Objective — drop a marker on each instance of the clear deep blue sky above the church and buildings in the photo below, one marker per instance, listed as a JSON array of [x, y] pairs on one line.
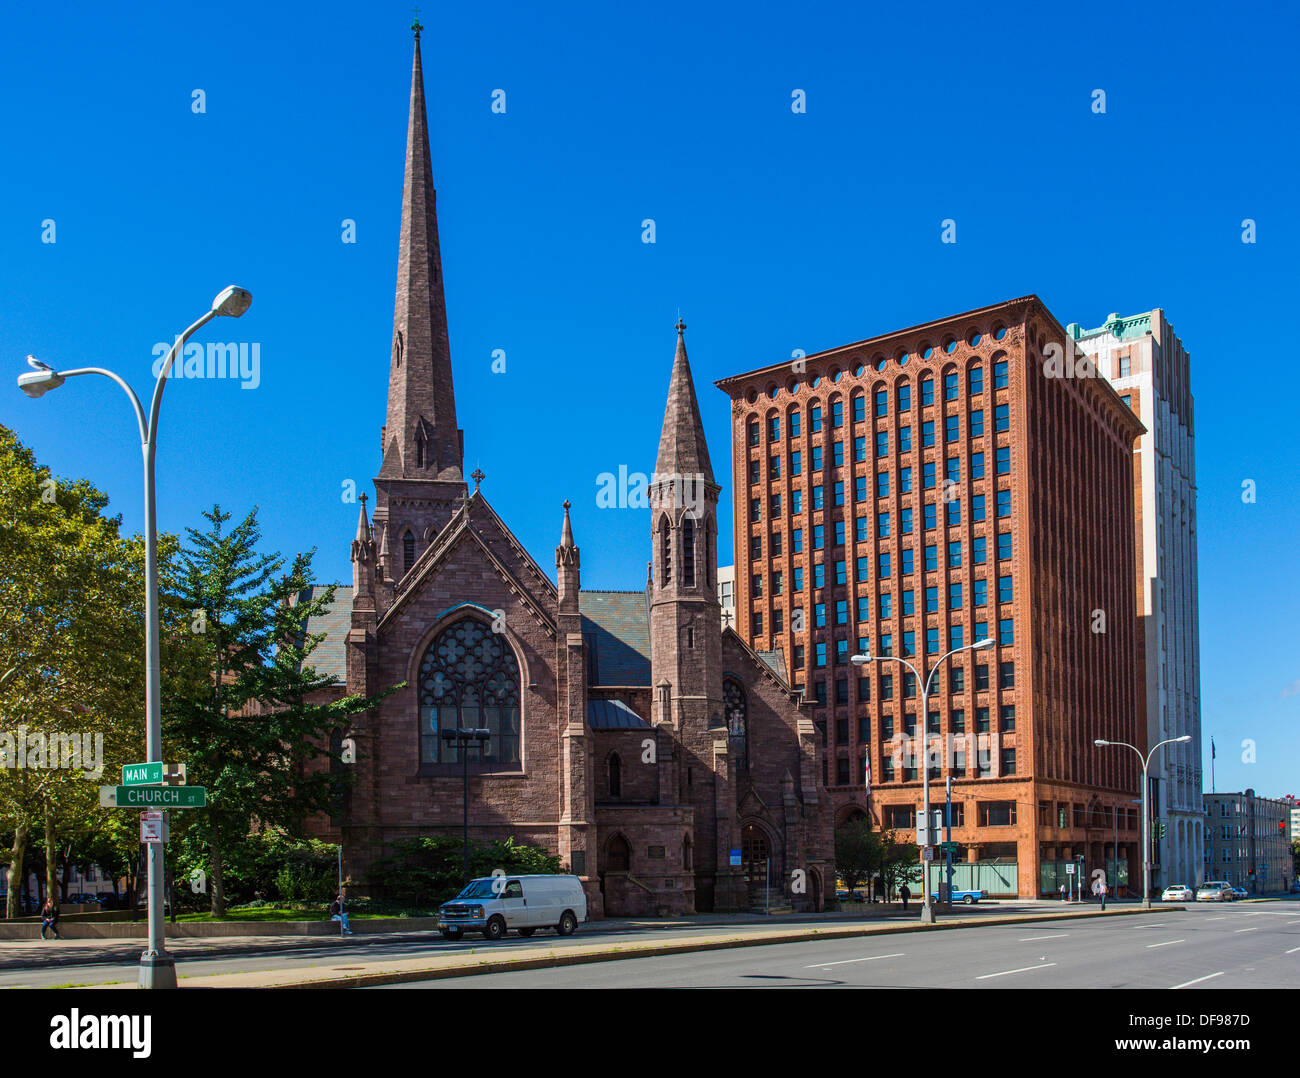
[[774, 232]]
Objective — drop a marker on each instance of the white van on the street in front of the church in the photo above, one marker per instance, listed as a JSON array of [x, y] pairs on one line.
[[496, 904]]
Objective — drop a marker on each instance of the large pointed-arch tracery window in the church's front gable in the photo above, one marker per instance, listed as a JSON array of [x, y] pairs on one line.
[[470, 679]]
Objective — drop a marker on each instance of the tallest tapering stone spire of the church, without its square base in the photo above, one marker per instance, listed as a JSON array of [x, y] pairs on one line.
[[422, 440]]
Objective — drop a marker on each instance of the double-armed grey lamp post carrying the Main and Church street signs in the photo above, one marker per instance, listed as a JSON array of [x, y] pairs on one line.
[[158, 968]]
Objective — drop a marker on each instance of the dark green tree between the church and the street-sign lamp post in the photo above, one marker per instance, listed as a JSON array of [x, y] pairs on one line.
[[258, 720]]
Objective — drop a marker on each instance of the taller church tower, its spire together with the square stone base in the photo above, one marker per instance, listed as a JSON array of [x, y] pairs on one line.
[[422, 479]]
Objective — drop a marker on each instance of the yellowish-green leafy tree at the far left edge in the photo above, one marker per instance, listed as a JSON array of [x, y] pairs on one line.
[[71, 647]]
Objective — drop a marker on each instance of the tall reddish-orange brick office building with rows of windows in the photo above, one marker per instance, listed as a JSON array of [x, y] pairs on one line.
[[920, 492]]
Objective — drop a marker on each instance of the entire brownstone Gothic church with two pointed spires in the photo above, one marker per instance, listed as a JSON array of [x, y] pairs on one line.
[[665, 761]]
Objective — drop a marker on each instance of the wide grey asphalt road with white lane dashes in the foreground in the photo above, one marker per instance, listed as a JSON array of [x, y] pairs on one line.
[[1234, 946]]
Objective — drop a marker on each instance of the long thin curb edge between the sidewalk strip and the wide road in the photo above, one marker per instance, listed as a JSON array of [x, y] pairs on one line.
[[658, 950]]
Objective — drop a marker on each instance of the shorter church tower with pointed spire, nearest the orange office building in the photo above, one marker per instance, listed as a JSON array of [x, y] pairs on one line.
[[686, 625]]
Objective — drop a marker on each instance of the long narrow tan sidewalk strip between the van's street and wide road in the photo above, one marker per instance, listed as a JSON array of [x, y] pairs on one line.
[[361, 973]]
